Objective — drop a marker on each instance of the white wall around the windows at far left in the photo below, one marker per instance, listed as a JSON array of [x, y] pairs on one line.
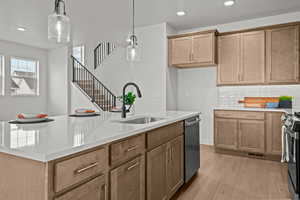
[[10, 105]]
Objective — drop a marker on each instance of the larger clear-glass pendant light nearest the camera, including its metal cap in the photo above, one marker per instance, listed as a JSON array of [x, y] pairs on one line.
[[59, 25]]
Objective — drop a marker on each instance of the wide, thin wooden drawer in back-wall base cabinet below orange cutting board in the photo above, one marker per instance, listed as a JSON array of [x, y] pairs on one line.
[[240, 115]]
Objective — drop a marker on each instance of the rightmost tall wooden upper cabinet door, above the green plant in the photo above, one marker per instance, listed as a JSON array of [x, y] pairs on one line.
[[283, 55]]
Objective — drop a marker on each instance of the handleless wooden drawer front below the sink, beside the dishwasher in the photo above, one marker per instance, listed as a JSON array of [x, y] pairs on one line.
[[162, 135]]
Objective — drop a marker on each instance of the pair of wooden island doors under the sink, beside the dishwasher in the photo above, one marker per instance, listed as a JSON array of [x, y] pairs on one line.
[[165, 170]]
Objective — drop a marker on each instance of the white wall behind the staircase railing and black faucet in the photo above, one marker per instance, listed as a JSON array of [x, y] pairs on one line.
[[149, 73]]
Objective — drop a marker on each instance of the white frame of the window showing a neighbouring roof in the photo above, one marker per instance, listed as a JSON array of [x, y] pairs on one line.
[[37, 94]]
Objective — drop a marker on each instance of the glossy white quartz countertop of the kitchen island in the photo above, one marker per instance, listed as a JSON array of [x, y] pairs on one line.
[[68, 135]]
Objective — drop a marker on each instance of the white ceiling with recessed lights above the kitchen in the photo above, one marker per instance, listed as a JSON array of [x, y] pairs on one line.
[[109, 16]]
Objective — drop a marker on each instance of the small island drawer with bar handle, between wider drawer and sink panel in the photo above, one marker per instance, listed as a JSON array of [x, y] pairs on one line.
[[127, 149]]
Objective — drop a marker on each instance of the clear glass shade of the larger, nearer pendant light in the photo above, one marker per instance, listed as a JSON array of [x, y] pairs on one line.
[[59, 28]]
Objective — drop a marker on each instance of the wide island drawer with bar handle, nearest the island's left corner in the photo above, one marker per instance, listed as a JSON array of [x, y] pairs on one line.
[[77, 169]]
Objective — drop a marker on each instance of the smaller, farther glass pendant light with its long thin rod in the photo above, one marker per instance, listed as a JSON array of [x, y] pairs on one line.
[[133, 49]]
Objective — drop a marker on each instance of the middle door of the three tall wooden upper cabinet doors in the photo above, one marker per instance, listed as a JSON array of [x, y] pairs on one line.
[[252, 68]]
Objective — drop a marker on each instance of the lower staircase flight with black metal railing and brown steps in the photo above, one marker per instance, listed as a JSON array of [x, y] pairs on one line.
[[96, 91]]
